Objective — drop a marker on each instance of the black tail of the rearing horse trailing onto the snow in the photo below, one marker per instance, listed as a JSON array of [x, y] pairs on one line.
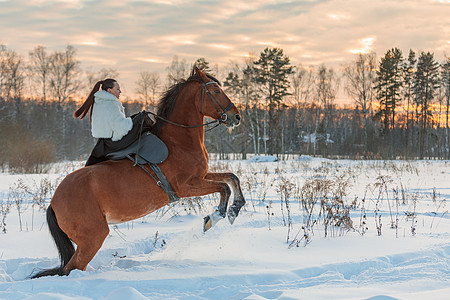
[[63, 243]]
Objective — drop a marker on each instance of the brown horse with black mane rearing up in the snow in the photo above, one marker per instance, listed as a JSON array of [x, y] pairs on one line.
[[89, 199]]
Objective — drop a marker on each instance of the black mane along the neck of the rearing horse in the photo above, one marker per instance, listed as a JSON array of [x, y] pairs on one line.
[[167, 102]]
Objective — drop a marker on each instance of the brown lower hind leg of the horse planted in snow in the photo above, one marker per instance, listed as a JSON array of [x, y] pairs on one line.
[[88, 239]]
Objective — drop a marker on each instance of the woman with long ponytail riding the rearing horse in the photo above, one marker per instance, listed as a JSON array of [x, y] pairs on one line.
[[110, 126]]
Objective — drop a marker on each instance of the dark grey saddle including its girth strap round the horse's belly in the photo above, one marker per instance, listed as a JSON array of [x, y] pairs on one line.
[[148, 150]]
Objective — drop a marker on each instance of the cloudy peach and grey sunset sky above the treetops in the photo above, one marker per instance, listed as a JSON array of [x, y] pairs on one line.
[[132, 36]]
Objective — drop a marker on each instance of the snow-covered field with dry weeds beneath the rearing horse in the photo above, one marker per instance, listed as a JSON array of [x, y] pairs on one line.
[[311, 229]]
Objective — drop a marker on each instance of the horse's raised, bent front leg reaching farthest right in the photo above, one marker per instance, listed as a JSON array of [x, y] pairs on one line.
[[238, 201]]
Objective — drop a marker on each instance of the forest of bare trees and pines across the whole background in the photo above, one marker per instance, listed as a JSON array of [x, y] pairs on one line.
[[398, 106]]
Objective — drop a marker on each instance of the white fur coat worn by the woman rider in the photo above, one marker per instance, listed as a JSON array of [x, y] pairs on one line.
[[108, 117]]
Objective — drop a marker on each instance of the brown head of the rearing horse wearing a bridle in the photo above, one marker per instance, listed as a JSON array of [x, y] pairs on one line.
[[215, 103]]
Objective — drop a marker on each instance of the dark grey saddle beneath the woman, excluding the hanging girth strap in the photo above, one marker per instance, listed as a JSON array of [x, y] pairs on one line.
[[151, 150]]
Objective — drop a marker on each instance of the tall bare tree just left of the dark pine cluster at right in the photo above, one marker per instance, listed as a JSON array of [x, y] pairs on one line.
[[360, 78]]
